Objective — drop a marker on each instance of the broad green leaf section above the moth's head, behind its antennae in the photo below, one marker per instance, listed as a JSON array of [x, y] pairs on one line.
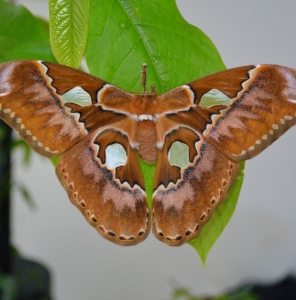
[[124, 34]]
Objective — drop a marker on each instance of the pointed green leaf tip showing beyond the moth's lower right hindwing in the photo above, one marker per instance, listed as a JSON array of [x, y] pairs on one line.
[[220, 218]]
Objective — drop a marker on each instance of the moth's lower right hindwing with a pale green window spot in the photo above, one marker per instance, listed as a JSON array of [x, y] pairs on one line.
[[187, 191]]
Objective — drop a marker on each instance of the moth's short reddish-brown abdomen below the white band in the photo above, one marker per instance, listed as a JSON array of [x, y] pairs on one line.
[[147, 141]]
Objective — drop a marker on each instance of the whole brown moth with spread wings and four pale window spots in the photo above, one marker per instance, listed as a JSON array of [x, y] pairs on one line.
[[100, 131]]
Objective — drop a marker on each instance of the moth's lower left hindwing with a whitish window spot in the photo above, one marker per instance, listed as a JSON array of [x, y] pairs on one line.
[[102, 177]]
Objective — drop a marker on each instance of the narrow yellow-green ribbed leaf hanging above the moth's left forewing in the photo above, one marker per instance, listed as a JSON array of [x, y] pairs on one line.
[[68, 30]]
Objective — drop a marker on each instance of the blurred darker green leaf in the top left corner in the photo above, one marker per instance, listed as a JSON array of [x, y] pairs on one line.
[[22, 36]]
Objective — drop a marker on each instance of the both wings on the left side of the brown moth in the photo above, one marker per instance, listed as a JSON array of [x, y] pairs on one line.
[[54, 108]]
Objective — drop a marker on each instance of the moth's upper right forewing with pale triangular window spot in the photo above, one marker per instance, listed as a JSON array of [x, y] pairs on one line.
[[252, 110]]
